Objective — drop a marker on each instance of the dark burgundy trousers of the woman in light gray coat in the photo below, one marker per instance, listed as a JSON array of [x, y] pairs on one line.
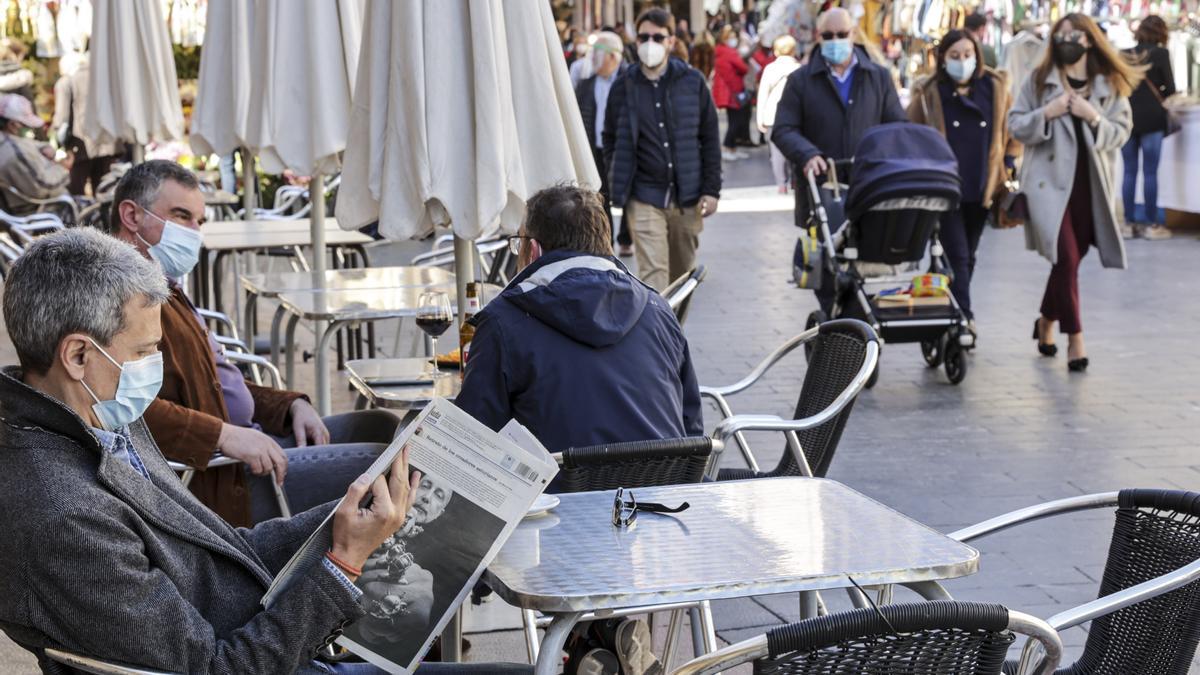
[[1076, 236]]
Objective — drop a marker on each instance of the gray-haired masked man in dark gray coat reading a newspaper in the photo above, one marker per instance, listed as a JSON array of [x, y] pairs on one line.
[[106, 554]]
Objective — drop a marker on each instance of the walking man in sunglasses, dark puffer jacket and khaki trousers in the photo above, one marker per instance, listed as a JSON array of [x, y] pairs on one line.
[[663, 151]]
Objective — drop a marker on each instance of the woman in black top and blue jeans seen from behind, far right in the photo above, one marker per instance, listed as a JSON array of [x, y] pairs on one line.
[[1150, 126]]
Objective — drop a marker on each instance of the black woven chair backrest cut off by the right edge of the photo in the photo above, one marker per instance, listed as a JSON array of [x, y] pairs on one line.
[[1156, 533]]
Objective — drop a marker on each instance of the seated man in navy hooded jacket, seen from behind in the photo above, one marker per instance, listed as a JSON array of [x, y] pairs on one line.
[[577, 349]]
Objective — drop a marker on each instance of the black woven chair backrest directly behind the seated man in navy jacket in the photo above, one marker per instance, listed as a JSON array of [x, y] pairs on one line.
[[639, 464]]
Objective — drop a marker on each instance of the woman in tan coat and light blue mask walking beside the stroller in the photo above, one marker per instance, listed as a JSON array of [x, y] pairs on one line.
[[969, 104]]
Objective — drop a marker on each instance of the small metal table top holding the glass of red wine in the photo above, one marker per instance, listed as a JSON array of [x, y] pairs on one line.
[[373, 378]]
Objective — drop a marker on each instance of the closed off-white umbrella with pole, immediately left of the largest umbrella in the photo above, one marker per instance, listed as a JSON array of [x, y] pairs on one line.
[[304, 57]]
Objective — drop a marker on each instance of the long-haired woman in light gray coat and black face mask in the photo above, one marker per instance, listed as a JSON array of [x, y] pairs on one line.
[[1073, 117]]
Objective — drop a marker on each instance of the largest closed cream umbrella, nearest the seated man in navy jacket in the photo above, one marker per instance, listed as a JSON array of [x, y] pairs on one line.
[[463, 111]]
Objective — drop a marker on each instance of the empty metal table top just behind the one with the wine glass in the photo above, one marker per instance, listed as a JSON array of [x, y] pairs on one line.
[[358, 279]]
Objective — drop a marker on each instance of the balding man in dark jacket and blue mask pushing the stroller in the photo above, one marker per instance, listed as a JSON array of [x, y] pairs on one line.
[[826, 109]]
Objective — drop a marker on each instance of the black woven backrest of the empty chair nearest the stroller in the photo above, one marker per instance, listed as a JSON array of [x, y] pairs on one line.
[[838, 355]]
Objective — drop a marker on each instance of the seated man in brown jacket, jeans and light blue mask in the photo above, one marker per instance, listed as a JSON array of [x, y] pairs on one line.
[[206, 405]]
